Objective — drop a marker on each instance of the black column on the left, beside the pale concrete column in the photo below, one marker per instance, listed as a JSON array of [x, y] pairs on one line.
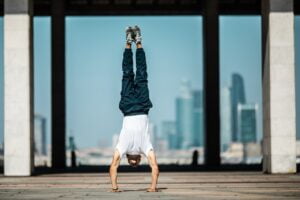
[[58, 85]]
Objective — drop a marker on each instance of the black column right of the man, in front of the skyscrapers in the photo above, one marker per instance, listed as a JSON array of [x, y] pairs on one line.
[[211, 83]]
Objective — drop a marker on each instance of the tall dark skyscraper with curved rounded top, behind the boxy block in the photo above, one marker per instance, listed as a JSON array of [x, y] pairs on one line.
[[237, 97]]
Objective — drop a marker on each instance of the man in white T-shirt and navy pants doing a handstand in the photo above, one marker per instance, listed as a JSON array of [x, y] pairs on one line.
[[134, 138]]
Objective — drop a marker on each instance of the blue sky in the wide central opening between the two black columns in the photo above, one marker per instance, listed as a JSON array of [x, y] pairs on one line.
[[173, 47]]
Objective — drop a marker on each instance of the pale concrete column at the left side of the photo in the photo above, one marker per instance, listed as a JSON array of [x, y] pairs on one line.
[[18, 88]]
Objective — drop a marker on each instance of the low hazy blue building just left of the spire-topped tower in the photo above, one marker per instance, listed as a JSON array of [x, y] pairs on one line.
[[168, 130]]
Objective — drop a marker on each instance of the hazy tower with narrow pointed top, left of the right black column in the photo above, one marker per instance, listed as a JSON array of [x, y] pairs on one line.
[[184, 116]]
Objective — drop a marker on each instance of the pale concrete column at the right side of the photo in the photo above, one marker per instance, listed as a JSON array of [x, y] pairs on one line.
[[279, 139]]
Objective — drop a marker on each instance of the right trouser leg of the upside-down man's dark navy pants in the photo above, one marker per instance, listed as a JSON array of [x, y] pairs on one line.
[[141, 78]]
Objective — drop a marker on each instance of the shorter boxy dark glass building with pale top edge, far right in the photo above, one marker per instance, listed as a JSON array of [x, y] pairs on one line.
[[247, 122]]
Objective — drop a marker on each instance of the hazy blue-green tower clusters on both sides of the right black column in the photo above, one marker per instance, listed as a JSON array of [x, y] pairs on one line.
[[187, 131]]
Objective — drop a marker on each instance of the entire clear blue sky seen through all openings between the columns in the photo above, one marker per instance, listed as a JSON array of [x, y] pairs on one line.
[[173, 45]]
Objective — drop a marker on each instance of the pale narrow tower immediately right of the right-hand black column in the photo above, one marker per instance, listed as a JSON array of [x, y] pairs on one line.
[[225, 118]]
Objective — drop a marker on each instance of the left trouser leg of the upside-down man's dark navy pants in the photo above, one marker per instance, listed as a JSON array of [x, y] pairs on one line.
[[127, 91]]
